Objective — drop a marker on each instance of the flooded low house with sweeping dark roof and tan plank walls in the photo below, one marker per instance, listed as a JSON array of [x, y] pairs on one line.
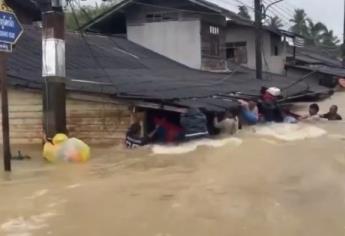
[[107, 76]]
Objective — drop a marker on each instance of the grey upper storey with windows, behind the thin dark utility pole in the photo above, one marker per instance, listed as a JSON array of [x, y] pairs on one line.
[[240, 46]]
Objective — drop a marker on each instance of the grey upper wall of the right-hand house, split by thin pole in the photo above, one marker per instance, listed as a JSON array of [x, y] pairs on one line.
[[271, 63]]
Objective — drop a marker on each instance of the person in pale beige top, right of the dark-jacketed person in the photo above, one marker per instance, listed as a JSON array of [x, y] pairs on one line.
[[227, 125]]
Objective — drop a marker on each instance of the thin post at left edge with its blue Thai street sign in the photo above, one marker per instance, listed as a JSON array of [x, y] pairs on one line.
[[10, 31]]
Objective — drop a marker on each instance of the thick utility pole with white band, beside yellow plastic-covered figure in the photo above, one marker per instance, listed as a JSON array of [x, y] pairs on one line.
[[54, 69]]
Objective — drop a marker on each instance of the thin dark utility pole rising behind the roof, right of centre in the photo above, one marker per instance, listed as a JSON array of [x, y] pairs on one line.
[[258, 38]]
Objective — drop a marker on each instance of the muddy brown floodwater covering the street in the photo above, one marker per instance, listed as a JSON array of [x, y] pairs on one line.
[[272, 180]]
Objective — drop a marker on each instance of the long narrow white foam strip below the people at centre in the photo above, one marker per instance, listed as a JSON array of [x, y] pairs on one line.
[[193, 145]]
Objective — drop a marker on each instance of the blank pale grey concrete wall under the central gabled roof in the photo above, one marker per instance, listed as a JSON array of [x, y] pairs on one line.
[[177, 40]]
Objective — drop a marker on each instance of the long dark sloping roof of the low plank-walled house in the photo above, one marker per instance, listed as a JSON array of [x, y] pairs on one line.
[[119, 68]]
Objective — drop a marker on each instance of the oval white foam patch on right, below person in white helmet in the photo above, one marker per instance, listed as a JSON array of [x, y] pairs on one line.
[[290, 132]]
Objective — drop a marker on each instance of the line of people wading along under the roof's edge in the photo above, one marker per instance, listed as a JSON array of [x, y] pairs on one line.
[[194, 124]]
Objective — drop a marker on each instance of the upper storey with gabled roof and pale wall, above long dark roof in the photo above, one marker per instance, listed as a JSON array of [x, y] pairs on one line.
[[191, 32]]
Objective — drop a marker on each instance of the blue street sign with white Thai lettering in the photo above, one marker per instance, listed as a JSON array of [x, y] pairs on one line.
[[10, 28]]
